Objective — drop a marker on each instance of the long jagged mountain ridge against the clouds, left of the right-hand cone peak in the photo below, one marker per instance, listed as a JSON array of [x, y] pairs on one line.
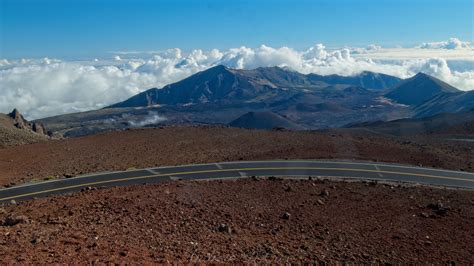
[[223, 84]]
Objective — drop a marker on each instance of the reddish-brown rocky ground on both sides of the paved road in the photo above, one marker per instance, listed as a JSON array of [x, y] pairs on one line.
[[233, 221]]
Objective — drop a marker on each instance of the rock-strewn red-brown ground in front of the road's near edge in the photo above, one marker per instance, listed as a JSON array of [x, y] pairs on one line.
[[249, 220]]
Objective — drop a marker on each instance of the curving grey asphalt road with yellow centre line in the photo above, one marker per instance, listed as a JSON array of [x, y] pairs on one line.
[[303, 169]]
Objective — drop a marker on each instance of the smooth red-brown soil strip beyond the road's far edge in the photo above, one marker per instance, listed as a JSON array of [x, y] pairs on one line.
[[142, 148]]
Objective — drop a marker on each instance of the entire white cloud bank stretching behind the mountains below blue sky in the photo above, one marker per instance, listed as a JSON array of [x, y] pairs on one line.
[[46, 87]]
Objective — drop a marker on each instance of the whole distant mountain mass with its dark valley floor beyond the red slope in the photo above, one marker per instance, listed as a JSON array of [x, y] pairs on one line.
[[219, 94]]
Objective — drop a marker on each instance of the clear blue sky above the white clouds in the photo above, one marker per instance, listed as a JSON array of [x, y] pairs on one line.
[[86, 28]]
